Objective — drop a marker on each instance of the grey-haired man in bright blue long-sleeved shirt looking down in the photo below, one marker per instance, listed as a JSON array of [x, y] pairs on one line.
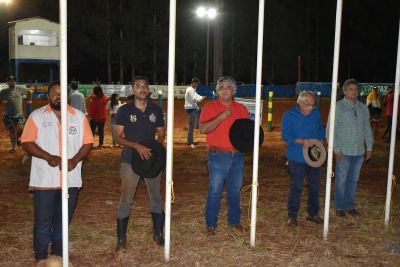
[[299, 125]]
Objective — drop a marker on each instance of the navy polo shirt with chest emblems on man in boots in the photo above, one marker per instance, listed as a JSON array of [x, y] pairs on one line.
[[138, 125]]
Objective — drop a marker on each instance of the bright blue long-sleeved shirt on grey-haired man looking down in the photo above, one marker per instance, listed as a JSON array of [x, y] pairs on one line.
[[297, 126]]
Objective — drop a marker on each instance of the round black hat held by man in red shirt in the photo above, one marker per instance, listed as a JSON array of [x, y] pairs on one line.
[[241, 135]]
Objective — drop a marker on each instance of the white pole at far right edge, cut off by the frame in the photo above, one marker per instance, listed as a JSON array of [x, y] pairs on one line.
[[393, 136]]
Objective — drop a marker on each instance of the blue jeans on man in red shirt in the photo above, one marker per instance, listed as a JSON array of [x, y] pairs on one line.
[[224, 167]]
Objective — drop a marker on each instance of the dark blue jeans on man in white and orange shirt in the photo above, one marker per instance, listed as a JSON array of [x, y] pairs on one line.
[[48, 220]]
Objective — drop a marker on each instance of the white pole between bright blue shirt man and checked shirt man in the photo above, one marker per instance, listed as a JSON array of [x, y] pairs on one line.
[[332, 114]]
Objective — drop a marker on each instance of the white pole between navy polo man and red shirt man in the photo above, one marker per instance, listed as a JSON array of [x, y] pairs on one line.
[[170, 126]]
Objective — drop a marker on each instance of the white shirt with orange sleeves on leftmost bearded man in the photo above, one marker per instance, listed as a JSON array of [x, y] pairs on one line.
[[44, 128]]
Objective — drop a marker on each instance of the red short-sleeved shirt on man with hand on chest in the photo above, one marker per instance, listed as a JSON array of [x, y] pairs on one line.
[[219, 137]]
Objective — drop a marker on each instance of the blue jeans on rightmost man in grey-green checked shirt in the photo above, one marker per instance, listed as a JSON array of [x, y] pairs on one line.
[[346, 178]]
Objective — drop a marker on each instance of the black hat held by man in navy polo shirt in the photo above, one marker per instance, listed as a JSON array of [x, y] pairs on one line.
[[152, 167]]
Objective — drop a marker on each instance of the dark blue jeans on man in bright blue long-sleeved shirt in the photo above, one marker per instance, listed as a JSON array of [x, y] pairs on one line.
[[297, 172]]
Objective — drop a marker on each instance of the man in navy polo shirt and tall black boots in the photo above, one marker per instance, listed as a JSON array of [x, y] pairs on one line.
[[136, 121]]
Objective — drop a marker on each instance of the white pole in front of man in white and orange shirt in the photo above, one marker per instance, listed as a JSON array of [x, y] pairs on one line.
[[64, 155]]
